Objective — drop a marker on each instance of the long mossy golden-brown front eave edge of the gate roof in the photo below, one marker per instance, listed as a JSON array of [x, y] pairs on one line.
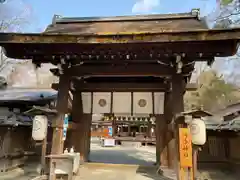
[[166, 35]]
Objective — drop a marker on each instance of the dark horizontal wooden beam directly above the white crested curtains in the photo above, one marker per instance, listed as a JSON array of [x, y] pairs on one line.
[[123, 87]]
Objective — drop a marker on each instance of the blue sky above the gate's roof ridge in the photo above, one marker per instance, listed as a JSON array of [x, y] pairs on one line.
[[42, 11]]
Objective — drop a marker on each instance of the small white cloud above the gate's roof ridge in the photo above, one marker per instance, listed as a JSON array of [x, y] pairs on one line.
[[144, 6]]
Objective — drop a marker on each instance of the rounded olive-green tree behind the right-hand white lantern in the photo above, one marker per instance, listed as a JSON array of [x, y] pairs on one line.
[[213, 93]]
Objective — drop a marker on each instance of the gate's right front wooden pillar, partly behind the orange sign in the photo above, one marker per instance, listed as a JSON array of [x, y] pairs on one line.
[[178, 86]]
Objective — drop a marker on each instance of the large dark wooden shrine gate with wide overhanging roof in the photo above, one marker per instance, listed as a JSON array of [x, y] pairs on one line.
[[154, 53]]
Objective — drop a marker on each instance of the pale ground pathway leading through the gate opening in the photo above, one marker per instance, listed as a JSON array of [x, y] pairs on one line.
[[123, 162]]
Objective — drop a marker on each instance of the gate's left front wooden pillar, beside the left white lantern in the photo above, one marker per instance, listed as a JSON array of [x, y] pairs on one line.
[[62, 108]]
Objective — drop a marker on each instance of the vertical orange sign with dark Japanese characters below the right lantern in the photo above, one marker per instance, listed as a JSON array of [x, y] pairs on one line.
[[185, 145]]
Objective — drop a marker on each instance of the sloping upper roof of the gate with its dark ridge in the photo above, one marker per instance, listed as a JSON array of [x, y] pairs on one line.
[[126, 24]]
